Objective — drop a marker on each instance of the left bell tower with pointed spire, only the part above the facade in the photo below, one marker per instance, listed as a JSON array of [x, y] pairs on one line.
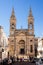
[[12, 23]]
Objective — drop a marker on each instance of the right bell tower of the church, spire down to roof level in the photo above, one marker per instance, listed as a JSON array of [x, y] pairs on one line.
[[30, 23]]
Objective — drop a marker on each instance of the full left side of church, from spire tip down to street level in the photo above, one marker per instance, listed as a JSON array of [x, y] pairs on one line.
[[12, 33]]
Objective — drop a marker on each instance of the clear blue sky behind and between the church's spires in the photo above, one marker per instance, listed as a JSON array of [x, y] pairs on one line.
[[21, 8]]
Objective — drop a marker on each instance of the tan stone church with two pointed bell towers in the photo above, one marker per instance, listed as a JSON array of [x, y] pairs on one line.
[[22, 42]]
